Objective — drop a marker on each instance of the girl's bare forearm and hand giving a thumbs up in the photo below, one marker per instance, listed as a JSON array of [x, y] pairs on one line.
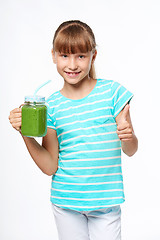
[[126, 133]]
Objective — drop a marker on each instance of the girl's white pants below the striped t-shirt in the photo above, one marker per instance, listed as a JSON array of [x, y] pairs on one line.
[[88, 225]]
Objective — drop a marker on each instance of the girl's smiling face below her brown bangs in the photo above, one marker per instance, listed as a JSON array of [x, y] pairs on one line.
[[73, 67]]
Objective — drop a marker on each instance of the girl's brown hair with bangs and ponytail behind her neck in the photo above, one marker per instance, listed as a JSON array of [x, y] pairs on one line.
[[75, 36]]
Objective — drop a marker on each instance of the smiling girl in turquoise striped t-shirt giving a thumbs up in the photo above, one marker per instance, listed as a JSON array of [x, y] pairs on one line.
[[88, 125]]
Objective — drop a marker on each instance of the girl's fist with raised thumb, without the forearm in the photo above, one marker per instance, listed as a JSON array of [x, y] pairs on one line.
[[124, 125]]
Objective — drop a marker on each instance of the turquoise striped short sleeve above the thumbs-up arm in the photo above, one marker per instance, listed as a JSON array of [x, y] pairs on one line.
[[120, 97]]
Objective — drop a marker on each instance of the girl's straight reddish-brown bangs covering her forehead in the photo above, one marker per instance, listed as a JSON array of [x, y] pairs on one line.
[[72, 40]]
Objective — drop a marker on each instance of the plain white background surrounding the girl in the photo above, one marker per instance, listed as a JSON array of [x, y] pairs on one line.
[[128, 39]]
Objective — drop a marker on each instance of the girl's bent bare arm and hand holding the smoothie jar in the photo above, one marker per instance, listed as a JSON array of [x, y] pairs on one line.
[[45, 155]]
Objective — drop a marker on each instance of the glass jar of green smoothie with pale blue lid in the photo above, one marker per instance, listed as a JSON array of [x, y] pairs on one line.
[[34, 117]]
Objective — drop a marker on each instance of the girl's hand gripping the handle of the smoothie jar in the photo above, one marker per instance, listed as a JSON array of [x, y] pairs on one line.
[[15, 118]]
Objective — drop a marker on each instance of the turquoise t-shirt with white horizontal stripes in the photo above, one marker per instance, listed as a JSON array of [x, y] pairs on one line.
[[89, 175]]
